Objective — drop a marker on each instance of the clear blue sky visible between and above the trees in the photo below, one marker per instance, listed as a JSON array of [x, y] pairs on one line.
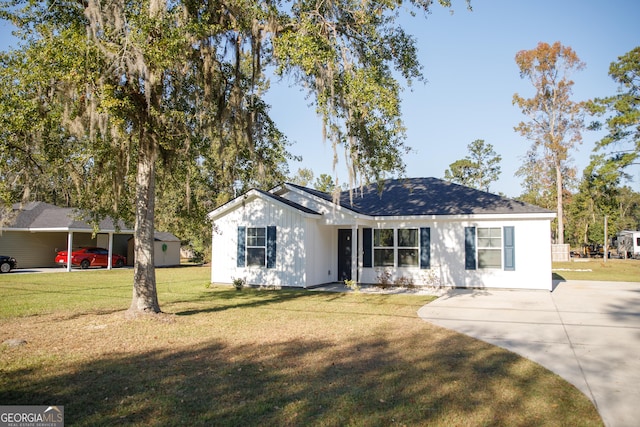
[[471, 74]]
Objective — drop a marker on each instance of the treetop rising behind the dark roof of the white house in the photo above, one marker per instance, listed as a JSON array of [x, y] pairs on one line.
[[478, 169]]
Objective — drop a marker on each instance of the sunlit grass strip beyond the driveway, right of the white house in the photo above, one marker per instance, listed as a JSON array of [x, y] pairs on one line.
[[616, 270]]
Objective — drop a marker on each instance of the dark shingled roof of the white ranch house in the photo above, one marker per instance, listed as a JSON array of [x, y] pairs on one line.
[[425, 196]]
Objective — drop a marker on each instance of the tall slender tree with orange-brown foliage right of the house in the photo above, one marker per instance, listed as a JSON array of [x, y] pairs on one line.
[[555, 121]]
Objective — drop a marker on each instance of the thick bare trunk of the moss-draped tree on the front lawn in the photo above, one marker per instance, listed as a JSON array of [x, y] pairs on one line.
[[145, 297]]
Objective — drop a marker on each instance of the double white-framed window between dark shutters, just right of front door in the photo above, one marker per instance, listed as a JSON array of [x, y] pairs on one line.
[[396, 247]]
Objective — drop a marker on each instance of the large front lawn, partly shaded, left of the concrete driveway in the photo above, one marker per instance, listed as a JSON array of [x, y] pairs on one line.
[[287, 358]]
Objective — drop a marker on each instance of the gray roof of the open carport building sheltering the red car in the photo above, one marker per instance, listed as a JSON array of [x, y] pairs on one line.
[[41, 215]]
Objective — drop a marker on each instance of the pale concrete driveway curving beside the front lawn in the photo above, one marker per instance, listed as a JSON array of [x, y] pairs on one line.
[[586, 332]]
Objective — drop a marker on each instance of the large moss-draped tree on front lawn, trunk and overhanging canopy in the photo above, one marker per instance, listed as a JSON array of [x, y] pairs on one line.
[[142, 86]]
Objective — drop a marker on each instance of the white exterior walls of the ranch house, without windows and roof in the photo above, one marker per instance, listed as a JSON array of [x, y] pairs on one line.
[[307, 247]]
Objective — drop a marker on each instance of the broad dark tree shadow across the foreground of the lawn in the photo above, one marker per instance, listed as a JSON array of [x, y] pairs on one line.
[[381, 380]]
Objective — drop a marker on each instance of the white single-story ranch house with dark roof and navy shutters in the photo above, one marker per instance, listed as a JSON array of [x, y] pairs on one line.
[[422, 230]]
